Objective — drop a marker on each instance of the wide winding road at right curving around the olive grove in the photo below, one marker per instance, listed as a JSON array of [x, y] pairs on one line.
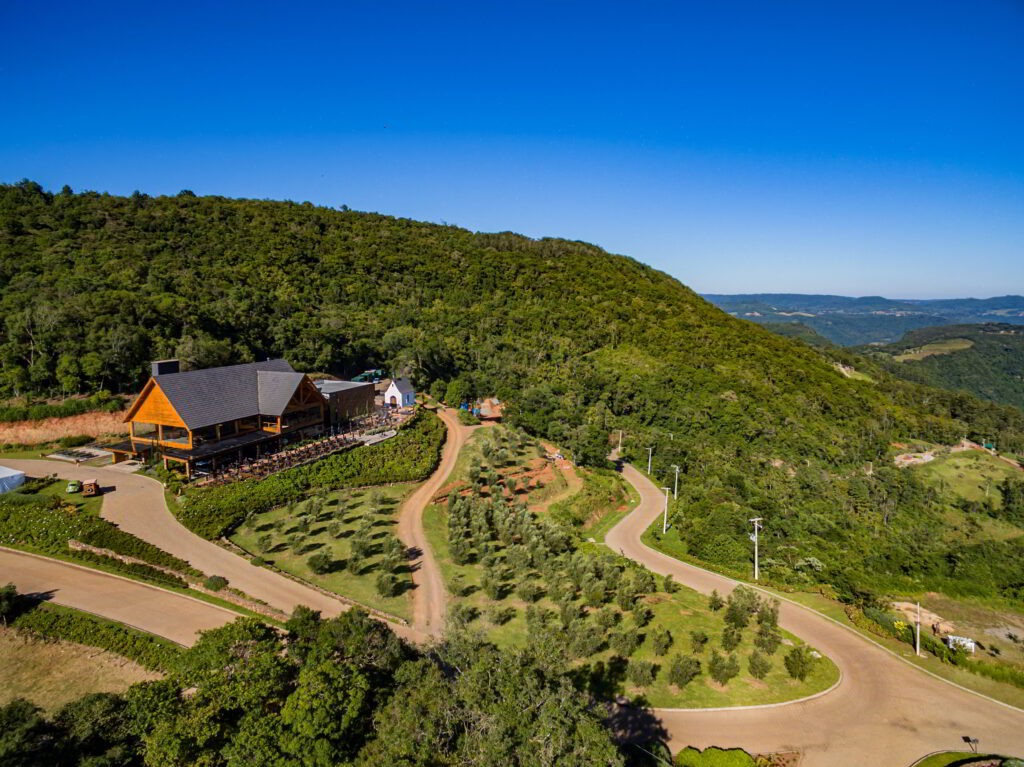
[[884, 712]]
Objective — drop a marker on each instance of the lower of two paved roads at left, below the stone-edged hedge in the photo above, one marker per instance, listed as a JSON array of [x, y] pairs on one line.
[[165, 614]]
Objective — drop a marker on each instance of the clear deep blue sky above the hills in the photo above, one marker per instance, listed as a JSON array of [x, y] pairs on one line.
[[869, 148]]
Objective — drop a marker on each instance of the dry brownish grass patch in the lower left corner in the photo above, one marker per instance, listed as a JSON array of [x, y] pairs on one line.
[[52, 674]]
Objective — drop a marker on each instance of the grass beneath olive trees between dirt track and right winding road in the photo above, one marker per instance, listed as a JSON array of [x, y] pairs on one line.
[[504, 622]]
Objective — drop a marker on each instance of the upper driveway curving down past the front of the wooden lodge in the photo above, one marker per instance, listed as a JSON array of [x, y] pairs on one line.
[[137, 505]]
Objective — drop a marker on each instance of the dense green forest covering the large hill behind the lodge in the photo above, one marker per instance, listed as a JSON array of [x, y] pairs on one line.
[[577, 342]]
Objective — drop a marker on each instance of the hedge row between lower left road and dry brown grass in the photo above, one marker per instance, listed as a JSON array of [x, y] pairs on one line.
[[51, 623]]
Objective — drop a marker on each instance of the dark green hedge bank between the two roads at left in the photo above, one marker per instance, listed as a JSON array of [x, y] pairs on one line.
[[42, 524]]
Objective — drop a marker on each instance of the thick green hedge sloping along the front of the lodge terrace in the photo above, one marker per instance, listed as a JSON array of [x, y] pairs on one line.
[[411, 456]]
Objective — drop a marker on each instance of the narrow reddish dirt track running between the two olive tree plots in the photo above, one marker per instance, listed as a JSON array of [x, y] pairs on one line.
[[430, 596]]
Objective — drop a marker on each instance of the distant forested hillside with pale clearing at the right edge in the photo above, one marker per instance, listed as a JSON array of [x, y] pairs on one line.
[[985, 360]]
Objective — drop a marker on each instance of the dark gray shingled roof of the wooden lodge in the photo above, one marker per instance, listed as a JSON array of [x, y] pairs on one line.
[[212, 396]]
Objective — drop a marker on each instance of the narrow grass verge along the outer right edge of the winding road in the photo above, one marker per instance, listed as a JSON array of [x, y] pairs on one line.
[[672, 546]]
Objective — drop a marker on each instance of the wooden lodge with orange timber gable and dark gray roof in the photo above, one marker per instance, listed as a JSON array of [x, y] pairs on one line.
[[202, 418]]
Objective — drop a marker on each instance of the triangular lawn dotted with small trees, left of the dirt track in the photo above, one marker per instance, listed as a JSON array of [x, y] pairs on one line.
[[346, 513]]
